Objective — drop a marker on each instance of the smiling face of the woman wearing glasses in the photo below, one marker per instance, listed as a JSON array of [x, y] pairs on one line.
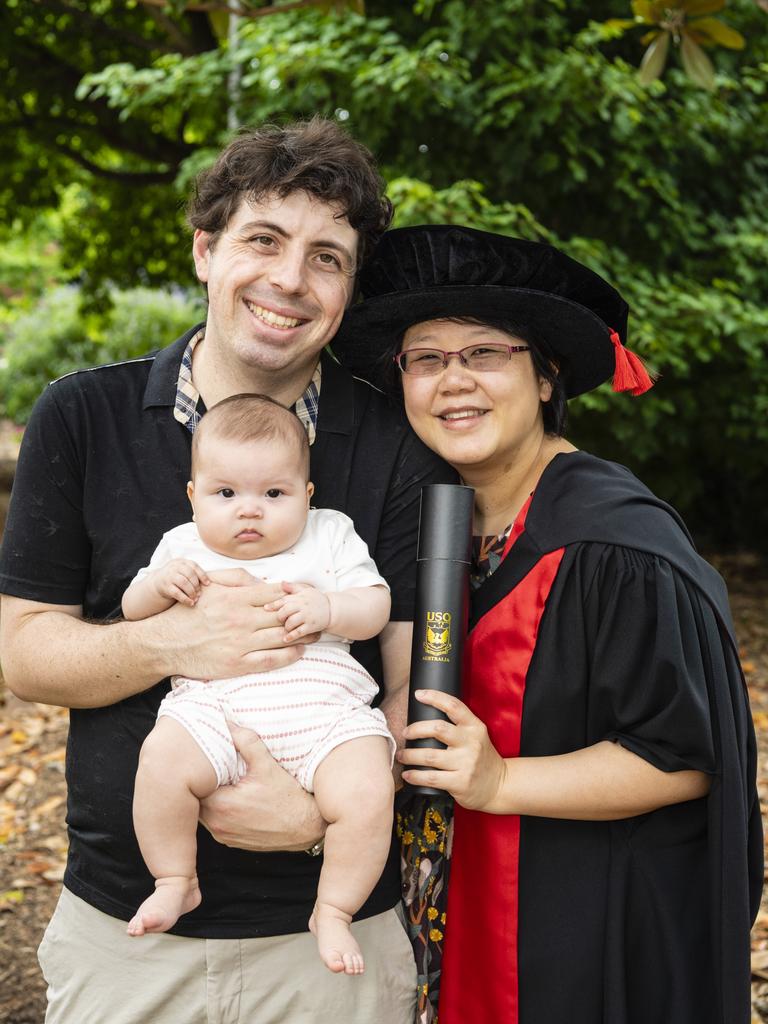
[[476, 420]]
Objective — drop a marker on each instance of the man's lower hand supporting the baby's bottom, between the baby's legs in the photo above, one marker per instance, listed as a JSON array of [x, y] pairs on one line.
[[268, 810]]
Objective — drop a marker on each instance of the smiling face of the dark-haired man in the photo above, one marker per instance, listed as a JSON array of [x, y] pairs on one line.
[[279, 280]]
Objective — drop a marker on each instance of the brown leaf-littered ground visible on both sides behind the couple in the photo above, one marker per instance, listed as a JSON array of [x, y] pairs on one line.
[[33, 842]]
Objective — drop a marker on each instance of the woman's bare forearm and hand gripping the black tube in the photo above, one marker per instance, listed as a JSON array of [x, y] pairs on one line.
[[601, 783]]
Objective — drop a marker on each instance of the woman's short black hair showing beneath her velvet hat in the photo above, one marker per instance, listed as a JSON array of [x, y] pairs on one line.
[[548, 366]]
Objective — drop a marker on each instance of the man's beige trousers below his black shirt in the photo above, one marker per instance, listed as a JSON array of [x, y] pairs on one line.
[[98, 974]]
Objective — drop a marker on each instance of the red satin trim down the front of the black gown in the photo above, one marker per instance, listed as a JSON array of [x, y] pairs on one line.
[[480, 966]]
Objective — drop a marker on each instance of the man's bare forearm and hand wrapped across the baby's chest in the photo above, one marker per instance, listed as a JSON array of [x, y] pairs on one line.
[[51, 655]]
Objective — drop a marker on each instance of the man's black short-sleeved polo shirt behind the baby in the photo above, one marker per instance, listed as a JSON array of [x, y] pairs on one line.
[[102, 477]]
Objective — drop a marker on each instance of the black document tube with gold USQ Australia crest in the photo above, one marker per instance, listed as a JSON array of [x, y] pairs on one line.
[[442, 601]]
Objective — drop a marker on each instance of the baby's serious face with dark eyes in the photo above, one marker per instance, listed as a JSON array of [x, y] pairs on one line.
[[250, 499]]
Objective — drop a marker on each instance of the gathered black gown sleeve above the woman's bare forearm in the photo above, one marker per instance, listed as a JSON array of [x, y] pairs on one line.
[[655, 646]]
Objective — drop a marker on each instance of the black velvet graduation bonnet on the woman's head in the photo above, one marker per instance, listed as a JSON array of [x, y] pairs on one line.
[[442, 271]]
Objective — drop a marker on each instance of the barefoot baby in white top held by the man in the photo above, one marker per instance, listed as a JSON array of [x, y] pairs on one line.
[[250, 495]]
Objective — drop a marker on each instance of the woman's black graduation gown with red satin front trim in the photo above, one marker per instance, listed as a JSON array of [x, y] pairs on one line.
[[603, 623]]
